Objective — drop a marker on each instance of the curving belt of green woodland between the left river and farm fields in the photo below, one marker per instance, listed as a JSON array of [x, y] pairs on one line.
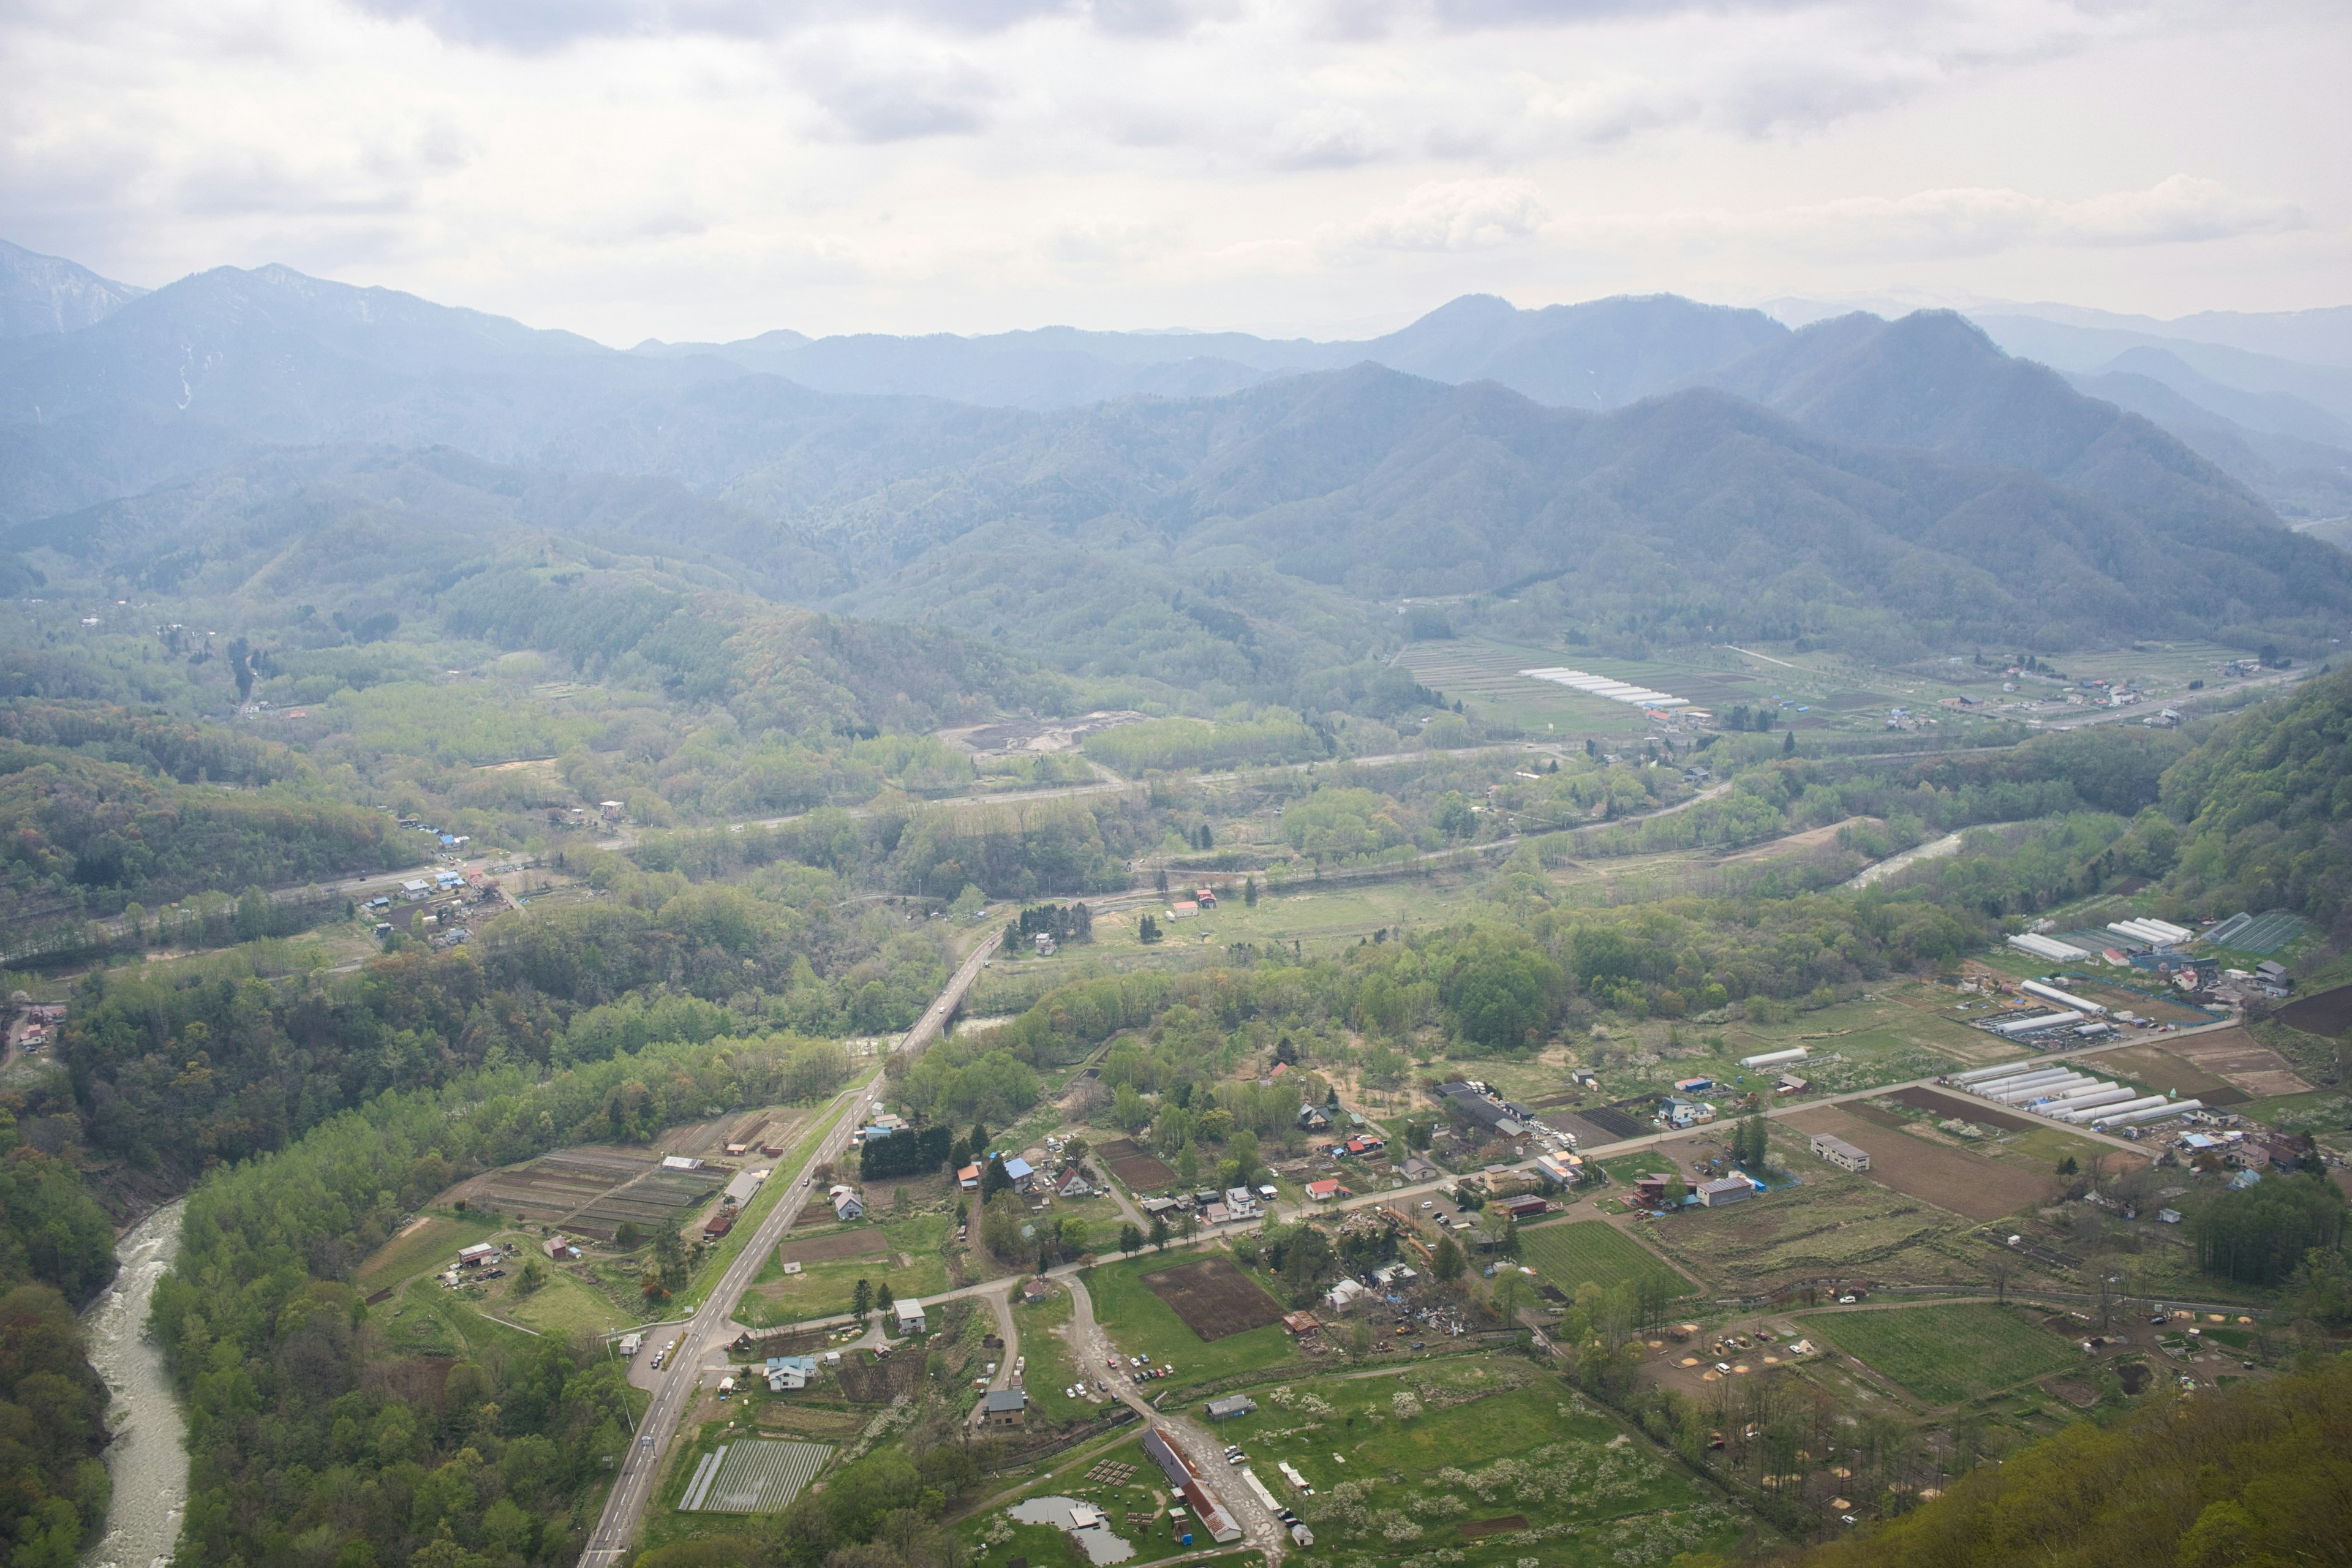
[[309, 1428]]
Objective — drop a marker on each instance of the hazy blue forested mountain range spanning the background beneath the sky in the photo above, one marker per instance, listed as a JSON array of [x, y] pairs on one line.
[[1643, 469]]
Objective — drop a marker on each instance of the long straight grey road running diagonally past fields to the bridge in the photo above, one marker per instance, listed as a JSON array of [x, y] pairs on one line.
[[711, 1327]]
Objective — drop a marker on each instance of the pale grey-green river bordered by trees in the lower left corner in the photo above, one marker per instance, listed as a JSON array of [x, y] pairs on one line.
[[149, 1456]]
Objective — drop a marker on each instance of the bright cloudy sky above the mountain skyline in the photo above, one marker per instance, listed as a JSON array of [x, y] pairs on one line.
[[1330, 168]]
